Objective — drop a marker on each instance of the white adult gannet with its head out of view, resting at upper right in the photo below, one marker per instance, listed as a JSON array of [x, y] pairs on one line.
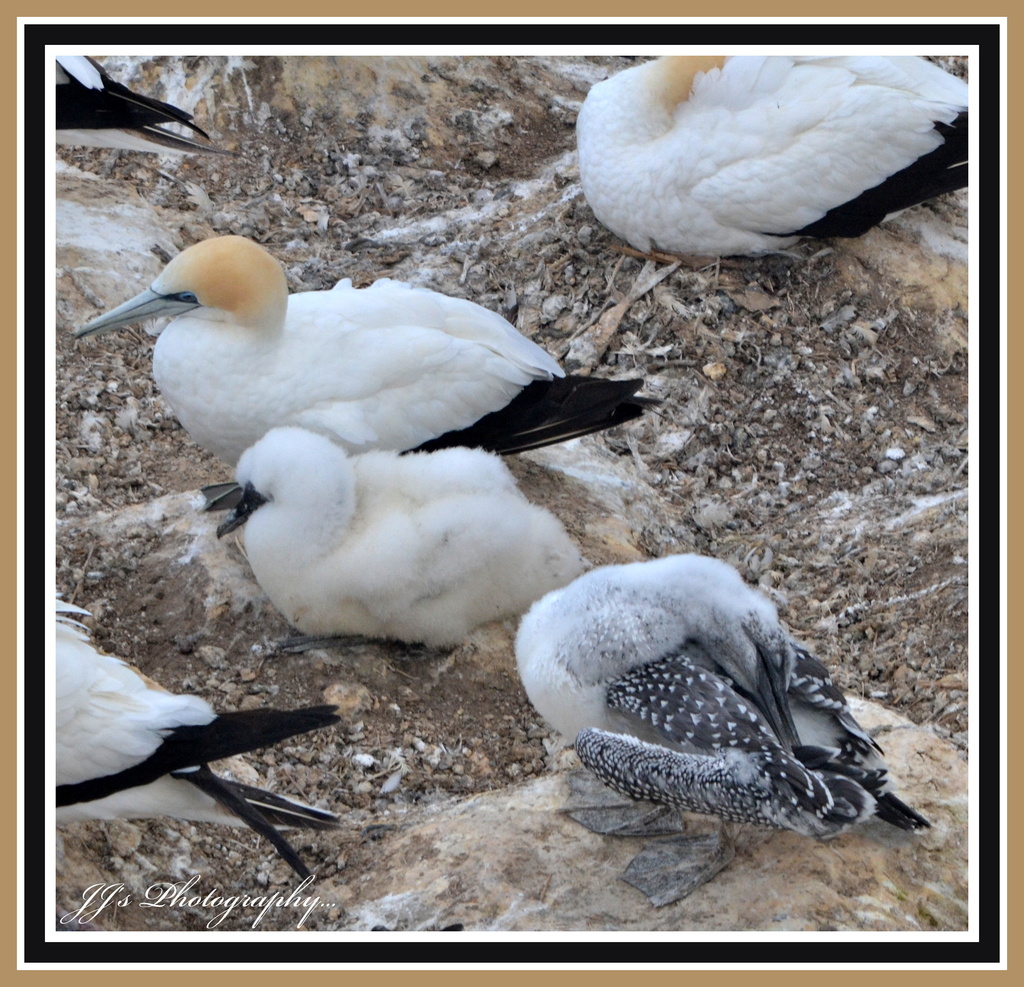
[[715, 156]]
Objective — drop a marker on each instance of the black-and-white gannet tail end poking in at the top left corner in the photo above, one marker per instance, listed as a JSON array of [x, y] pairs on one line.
[[97, 112]]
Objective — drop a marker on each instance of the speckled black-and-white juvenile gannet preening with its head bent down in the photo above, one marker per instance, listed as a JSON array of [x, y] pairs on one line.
[[680, 686]]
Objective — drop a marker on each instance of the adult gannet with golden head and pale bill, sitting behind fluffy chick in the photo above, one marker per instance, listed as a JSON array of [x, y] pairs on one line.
[[389, 367]]
